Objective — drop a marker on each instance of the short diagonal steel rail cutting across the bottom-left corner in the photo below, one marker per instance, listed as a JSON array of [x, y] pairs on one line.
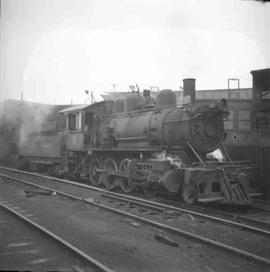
[[55, 237]]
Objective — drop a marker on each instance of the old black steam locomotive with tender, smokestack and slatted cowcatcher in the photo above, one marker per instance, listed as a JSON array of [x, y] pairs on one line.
[[138, 142]]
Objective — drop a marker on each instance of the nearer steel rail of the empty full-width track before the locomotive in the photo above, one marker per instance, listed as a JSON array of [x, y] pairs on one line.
[[168, 228]]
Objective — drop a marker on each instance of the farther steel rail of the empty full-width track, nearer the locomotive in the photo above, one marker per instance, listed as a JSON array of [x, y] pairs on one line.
[[148, 202]]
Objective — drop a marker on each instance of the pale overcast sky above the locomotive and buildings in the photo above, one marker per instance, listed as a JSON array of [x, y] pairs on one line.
[[53, 50]]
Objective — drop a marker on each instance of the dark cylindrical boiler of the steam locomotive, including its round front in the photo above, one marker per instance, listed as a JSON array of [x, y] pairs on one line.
[[170, 127]]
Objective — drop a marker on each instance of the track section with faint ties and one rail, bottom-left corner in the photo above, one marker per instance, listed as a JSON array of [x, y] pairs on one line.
[[28, 228]]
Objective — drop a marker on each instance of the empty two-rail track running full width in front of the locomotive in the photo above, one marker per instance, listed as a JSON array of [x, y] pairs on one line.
[[150, 210]]
